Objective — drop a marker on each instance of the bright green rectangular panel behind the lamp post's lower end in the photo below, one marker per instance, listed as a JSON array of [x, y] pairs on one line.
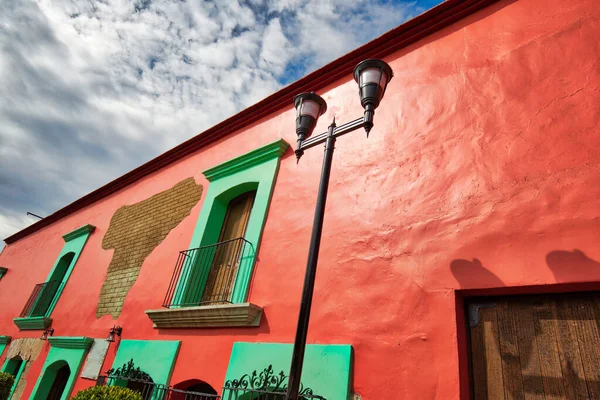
[[327, 368]]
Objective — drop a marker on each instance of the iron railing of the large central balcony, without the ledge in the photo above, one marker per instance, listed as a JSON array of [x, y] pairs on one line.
[[206, 275]]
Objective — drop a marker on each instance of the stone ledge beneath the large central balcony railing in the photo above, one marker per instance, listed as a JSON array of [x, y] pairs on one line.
[[213, 316]]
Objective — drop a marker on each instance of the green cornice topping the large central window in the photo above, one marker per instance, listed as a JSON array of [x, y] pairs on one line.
[[245, 161]]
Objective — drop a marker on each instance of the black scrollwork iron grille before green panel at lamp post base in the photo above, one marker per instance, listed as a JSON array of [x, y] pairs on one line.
[[265, 385]]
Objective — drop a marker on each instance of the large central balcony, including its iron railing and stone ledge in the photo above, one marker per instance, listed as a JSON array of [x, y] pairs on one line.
[[201, 289]]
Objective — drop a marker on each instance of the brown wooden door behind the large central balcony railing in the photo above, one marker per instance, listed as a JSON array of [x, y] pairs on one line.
[[227, 253]]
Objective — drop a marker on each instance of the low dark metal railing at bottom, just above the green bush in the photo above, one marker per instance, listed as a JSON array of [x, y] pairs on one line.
[[154, 391]]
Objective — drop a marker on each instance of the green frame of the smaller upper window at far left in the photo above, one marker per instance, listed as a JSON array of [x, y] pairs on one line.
[[45, 299]]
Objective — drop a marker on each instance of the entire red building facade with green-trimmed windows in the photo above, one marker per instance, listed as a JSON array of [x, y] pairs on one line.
[[475, 197]]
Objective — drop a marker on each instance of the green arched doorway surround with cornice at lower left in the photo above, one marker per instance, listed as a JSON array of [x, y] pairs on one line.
[[58, 356]]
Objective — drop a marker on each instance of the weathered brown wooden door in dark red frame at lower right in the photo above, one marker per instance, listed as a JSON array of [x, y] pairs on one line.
[[536, 347]]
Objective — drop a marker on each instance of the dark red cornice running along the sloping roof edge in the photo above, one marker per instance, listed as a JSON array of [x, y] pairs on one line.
[[402, 36]]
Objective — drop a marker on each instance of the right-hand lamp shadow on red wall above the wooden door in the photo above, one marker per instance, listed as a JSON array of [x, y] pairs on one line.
[[572, 266]]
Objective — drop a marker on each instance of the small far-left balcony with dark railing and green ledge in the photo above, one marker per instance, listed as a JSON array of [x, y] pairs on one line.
[[34, 314]]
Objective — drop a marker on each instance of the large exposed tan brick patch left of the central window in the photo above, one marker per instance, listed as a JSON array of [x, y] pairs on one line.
[[134, 232]]
